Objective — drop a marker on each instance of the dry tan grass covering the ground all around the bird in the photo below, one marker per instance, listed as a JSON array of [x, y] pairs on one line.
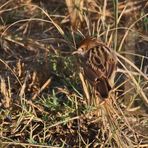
[[45, 100]]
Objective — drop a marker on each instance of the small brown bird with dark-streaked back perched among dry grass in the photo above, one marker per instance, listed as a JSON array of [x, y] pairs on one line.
[[99, 64]]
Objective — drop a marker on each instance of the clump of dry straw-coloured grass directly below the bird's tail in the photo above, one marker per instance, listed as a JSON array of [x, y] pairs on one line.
[[111, 117]]
